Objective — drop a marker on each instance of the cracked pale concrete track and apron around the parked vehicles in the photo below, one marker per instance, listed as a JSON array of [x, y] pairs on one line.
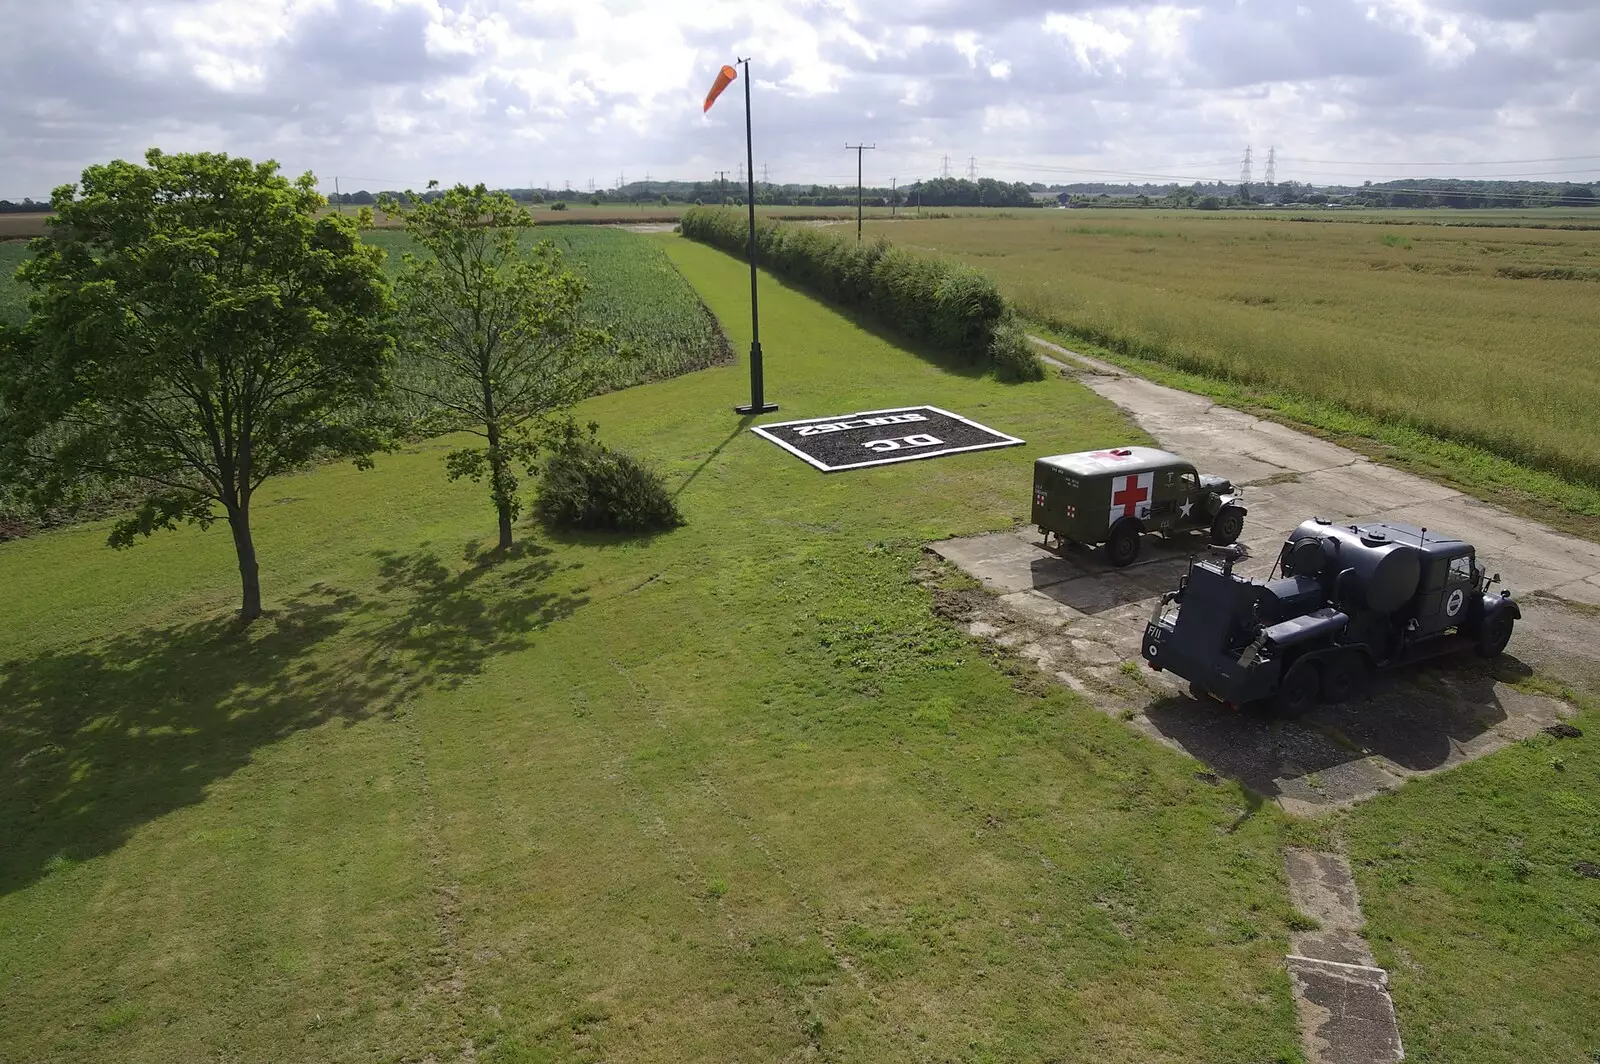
[[1081, 620]]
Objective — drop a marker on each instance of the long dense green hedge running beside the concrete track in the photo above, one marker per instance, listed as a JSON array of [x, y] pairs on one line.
[[953, 308]]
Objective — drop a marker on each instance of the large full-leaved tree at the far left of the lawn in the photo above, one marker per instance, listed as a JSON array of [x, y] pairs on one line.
[[196, 329]]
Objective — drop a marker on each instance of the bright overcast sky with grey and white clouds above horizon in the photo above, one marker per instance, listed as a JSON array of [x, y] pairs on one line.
[[391, 94]]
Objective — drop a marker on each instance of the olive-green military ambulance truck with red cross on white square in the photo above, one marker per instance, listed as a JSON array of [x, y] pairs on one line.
[[1116, 497]]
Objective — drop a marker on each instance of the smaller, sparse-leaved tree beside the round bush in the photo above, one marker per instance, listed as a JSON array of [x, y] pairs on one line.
[[495, 335]]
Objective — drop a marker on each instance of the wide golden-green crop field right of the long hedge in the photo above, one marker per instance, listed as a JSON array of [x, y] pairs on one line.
[[1479, 335]]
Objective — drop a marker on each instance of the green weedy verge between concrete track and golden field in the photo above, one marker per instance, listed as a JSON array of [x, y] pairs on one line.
[[1567, 506]]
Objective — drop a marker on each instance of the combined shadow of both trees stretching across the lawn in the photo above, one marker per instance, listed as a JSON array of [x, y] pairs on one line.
[[102, 738]]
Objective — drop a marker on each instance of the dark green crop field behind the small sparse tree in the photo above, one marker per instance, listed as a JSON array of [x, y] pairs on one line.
[[658, 324]]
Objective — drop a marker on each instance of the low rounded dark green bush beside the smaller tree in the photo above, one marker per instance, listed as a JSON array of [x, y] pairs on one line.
[[588, 486]]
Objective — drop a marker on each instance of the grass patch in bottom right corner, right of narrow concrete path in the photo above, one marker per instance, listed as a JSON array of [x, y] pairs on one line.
[[1479, 905]]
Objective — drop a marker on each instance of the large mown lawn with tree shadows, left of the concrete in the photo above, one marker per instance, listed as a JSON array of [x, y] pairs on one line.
[[734, 793]]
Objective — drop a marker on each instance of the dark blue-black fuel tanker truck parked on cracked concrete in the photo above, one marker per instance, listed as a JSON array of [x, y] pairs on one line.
[[1346, 601]]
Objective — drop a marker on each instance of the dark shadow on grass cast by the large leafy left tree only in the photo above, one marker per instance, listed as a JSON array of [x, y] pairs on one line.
[[102, 738]]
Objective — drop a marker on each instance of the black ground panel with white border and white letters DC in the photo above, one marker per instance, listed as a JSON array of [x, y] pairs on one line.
[[878, 438]]
